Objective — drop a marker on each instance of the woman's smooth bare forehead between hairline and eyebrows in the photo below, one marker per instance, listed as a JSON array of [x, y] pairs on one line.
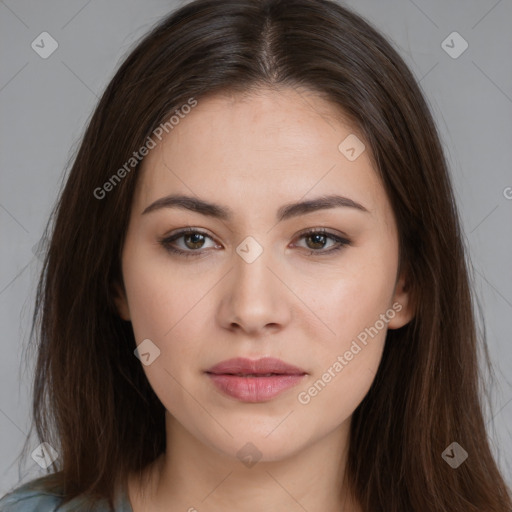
[[253, 148]]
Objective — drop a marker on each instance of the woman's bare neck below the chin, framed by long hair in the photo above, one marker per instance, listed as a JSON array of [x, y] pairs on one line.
[[192, 476]]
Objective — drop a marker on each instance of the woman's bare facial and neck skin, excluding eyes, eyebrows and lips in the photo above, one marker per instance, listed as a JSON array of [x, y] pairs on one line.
[[254, 153]]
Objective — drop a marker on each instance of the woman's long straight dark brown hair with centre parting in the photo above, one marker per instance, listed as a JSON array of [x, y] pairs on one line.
[[92, 401]]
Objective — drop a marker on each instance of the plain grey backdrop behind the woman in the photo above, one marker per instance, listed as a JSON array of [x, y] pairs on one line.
[[45, 104]]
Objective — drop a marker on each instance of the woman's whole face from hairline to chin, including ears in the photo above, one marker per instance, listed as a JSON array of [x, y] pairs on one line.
[[315, 287]]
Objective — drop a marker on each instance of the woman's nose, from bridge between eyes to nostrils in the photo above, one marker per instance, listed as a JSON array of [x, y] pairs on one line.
[[255, 298]]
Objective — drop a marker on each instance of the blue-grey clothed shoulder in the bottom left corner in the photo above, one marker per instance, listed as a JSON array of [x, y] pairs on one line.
[[30, 497]]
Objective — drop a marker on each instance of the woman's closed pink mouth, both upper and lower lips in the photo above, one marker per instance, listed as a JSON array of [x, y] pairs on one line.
[[248, 380]]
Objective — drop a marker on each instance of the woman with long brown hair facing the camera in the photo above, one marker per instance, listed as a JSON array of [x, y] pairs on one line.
[[255, 296]]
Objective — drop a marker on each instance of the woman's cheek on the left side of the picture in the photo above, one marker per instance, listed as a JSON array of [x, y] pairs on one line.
[[162, 309]]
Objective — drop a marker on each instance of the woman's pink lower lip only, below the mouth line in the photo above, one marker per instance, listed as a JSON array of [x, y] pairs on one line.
[[254, 389]]
